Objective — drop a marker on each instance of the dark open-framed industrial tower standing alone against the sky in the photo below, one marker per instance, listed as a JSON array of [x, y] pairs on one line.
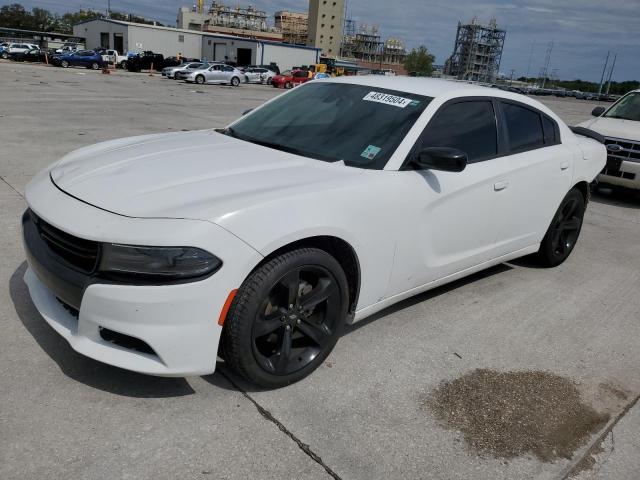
[[477, 52]]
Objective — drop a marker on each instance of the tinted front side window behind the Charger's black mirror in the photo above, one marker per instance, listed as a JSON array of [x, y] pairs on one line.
[[469, 126]]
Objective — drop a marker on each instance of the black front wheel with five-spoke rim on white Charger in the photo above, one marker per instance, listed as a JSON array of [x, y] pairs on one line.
[[277, 330]]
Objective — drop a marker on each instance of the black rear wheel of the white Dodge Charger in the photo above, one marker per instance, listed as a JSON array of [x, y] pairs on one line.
[[563, 233]]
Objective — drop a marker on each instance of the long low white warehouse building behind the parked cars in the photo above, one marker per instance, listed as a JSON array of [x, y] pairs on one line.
[[135, 37]]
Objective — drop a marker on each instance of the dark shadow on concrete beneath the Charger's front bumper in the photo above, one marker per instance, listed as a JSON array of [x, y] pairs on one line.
[[83, 369]]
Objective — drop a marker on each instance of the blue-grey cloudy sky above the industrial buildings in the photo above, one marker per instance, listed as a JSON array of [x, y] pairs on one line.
[[582, 31]]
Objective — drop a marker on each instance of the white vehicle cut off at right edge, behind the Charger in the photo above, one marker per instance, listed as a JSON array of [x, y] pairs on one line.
[[620, 125]]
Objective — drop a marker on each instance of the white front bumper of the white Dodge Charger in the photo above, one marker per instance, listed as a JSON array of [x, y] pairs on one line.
[[178, 323]]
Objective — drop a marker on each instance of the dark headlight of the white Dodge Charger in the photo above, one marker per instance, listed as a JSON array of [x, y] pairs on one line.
[[157, 263]]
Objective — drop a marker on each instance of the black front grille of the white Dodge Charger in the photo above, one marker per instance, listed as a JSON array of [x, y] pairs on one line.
[[77, 252]]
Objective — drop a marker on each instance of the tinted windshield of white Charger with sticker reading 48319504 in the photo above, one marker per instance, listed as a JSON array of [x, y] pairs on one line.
[[358, 124]]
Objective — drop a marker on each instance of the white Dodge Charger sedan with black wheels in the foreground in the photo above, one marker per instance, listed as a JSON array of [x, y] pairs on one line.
[[261, 241]]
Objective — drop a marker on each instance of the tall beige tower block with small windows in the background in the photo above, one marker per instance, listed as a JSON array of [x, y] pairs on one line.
[[325, 25]]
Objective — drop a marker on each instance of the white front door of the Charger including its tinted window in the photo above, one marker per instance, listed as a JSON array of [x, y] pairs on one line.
[[452, 214]]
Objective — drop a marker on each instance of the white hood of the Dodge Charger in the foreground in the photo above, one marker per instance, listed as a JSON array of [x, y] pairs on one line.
[[200, 175]]
